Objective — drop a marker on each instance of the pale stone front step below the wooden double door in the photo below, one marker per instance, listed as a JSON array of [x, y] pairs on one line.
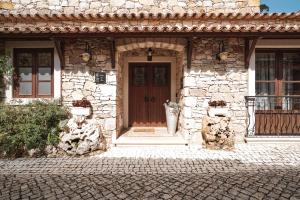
[[150, 141]]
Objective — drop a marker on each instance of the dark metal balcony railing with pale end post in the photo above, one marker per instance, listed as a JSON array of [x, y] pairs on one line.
[[273, 115]]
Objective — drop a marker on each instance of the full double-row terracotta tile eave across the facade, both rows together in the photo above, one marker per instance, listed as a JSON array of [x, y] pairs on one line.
[[181, 23]]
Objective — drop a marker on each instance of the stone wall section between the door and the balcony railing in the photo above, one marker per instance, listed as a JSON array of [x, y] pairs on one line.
[[210, 79]]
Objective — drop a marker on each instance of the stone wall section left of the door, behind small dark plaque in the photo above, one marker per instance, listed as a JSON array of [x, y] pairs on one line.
[[78, 80]]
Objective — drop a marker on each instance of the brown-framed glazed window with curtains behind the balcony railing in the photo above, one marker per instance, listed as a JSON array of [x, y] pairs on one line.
[[277, 73]]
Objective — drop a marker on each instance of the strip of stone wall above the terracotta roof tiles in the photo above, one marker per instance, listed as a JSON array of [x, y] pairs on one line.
[[126, 6]]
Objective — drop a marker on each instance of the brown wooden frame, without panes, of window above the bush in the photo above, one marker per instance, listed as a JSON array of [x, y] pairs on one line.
[[35, 68]]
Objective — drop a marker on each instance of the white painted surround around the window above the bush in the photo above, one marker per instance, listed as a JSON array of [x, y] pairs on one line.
[[10, 45]]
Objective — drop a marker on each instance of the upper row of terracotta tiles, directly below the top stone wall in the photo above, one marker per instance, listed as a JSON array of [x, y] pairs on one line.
[[114, 16]]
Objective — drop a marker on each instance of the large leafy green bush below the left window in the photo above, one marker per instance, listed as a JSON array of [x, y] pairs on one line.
[[32, 126]]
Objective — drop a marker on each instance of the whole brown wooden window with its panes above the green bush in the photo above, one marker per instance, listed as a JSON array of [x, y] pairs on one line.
[[33, 77]]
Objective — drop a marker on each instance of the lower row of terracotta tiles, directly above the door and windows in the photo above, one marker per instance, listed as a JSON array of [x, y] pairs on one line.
[[103, 29]]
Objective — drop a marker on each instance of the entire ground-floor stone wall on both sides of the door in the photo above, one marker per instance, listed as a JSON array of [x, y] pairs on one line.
[[208, 79]]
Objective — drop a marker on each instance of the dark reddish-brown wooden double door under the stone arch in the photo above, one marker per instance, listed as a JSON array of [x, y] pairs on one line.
[[149, 88]]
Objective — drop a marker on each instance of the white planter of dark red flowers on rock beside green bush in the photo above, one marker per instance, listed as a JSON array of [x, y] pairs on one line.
[[81, 107]]
